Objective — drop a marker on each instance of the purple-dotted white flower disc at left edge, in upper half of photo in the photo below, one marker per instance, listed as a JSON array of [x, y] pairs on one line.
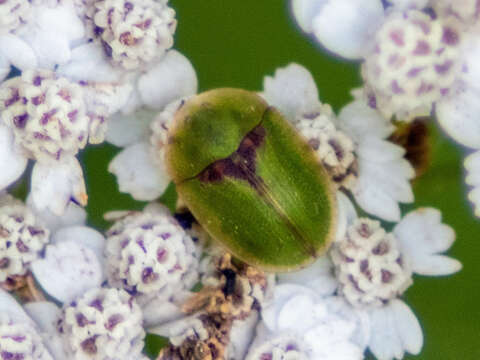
[[46, 113]]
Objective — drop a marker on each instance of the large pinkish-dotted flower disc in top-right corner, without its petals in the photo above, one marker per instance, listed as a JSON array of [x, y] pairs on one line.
[[414, 64]]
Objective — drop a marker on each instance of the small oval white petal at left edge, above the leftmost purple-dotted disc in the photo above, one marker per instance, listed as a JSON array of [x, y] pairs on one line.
[[18, 52]]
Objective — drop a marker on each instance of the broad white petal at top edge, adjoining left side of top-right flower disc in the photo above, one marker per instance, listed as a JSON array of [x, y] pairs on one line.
[[345, 27]]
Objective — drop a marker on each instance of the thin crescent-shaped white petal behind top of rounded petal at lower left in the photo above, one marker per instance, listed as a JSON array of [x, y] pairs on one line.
[[84, 236]]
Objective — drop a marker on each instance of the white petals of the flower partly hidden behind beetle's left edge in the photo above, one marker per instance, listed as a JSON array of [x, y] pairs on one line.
[[139, 167]]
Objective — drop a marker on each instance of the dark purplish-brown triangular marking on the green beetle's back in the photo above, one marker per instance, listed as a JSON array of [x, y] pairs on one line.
[[241, 164]]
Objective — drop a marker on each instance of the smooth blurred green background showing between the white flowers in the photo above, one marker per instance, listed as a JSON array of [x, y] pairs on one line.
[[236, 43]]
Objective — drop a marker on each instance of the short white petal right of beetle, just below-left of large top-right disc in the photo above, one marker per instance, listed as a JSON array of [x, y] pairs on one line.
[[359, 120]]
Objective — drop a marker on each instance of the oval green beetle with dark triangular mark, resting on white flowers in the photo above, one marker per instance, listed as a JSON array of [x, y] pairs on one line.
[[251, 180]]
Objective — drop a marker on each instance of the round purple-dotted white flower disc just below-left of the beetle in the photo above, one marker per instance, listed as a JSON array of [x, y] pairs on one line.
[[149, 254]]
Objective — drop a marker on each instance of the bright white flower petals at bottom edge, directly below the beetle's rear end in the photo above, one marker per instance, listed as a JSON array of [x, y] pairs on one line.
[[328, 330]]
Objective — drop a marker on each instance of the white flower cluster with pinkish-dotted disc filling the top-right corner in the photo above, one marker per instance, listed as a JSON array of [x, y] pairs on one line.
[[419, 57]]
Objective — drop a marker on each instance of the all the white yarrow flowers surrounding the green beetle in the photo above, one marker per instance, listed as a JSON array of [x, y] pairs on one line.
[[74, 72]]
